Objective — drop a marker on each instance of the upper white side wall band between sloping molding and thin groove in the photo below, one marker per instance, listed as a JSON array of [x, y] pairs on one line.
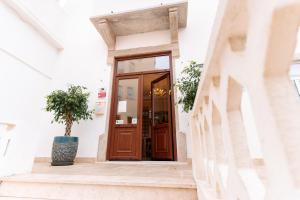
[[23, 41]]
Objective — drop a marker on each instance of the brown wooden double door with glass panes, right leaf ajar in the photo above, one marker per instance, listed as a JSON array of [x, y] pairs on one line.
[[128, 116]]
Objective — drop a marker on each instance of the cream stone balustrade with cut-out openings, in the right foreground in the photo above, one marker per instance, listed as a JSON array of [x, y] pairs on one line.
[[249, 57]]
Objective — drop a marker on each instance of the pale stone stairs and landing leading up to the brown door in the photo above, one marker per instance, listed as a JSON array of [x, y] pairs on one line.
[[177, 183]]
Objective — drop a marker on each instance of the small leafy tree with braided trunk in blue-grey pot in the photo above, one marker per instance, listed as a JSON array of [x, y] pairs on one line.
[[68, 107]]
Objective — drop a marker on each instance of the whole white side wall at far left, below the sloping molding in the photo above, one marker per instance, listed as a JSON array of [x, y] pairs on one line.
[[27, 63]]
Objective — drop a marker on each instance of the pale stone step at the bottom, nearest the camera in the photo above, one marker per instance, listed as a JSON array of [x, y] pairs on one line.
[[81, 187]]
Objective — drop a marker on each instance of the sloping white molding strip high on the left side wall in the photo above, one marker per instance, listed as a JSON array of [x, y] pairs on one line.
[[29, 18]]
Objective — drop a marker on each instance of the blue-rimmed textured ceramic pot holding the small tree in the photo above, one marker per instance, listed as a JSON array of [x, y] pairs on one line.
[[64, 150]]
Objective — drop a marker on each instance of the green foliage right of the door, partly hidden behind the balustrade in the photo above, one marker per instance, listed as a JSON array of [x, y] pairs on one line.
[[187, 84]]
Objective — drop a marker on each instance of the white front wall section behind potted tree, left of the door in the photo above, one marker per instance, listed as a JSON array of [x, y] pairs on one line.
[[82, 62]]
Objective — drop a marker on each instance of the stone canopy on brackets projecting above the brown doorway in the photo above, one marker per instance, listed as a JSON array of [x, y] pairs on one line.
[[143, 20]]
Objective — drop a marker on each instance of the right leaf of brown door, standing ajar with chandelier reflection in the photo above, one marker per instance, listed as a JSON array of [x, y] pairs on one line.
[[162, 144]]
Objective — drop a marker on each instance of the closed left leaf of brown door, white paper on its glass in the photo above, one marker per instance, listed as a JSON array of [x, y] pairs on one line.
[[125, 138]]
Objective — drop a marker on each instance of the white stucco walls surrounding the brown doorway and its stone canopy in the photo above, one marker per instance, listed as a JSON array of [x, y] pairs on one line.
[[82, 61]]
